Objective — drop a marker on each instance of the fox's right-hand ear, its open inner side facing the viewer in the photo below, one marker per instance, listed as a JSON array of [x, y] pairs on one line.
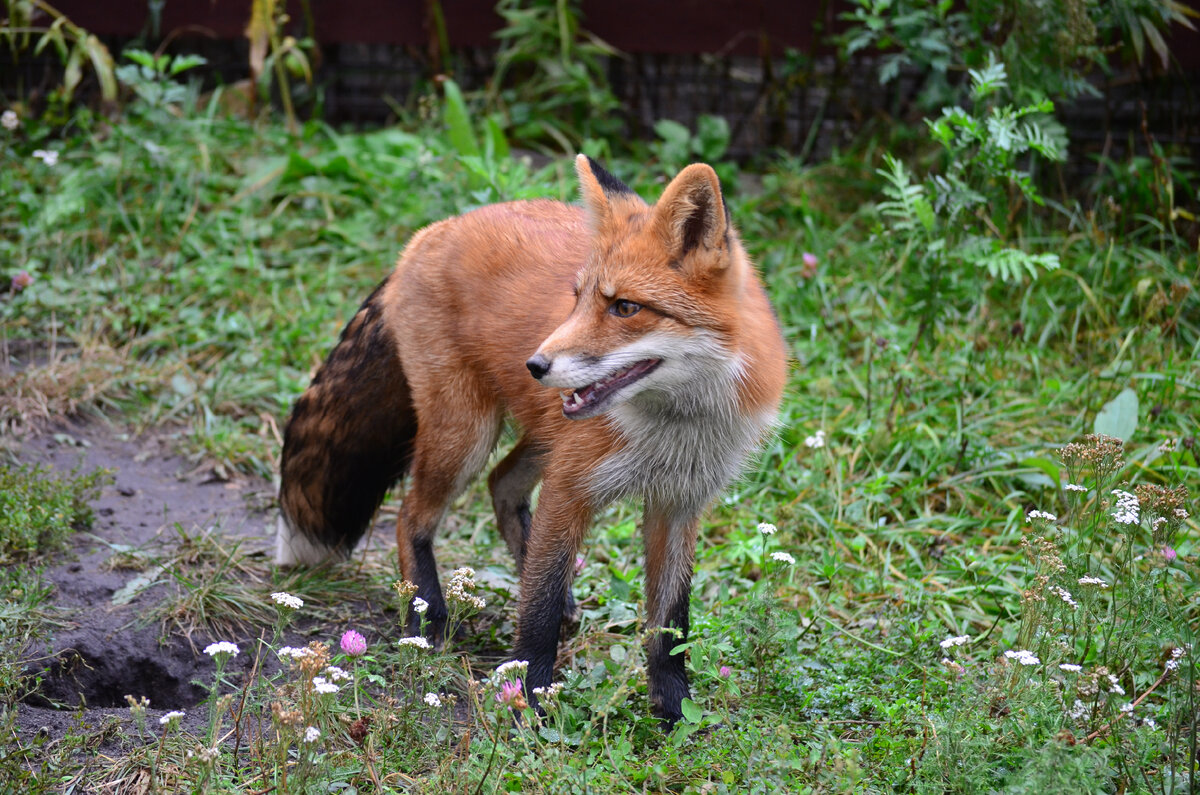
[[692, 213]]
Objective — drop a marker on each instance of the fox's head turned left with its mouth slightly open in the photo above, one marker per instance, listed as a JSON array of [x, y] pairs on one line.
[[657, 300]]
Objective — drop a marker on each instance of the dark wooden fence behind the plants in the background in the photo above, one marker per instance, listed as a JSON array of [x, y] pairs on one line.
[[680, 59]]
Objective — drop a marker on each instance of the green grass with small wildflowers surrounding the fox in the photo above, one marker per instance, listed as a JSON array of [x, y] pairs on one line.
[[195, 270]]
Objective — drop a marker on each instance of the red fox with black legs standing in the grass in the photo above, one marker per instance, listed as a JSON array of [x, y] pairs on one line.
[[632, 345]]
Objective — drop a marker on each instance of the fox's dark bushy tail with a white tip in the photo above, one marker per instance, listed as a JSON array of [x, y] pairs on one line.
[[349, 441]]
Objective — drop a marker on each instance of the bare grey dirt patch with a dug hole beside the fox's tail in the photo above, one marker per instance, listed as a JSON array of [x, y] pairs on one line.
[[104, 649]]
